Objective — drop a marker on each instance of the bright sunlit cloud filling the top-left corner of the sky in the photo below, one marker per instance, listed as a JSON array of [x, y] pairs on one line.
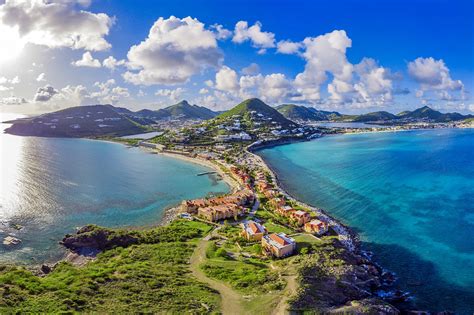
[[55, 24]]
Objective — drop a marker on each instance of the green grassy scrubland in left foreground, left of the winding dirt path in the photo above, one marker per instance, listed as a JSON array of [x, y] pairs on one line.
[[151, 276]]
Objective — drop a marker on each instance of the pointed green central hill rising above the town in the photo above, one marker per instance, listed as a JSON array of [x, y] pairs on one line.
[[255, 109]]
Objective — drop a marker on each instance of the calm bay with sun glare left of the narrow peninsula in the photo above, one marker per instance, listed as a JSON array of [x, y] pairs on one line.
[[51, 186]]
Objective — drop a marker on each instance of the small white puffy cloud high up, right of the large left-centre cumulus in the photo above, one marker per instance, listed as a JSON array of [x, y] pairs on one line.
[[254, 34]]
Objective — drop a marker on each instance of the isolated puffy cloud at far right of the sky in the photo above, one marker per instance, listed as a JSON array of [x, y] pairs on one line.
[[434, 75]]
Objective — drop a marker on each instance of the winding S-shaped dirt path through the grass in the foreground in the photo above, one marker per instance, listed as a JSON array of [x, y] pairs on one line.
[[231, 302]]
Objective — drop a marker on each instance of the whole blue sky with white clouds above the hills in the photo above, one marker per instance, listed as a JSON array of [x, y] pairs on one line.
[[350, 56]]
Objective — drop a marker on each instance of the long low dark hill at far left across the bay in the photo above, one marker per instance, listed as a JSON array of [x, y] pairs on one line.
[[80, 121]]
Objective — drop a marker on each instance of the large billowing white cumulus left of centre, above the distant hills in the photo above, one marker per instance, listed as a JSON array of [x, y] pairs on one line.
[[174, 50]]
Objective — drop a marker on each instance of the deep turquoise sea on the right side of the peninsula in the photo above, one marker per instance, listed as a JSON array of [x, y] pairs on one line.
[[410, 196]]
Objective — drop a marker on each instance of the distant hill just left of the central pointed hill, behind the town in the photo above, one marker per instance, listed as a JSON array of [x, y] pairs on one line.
[[182, 110]]
